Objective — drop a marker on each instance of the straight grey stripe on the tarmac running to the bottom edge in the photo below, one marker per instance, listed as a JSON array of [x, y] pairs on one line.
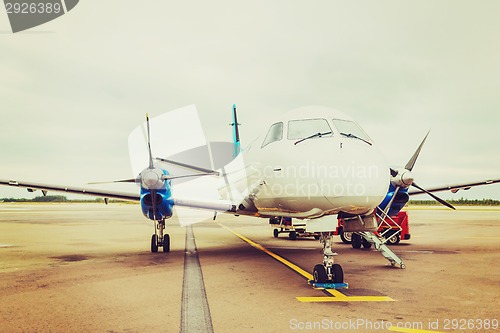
[[195, 312]]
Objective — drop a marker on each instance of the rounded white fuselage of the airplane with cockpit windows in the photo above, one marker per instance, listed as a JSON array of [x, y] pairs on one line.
[[318, 176]]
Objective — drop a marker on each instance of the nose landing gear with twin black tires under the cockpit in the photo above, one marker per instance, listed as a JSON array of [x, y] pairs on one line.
[[328, 272]]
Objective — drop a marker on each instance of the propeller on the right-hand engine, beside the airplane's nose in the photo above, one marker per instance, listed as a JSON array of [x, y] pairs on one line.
[[403, 178]]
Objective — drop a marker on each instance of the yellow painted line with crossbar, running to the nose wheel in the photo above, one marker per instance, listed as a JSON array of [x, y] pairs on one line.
[[335, 295]]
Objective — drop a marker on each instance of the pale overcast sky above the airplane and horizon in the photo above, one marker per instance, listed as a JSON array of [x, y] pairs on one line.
[[73, 89]]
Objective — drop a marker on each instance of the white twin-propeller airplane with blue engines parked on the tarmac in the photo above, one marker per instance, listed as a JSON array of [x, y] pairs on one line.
[[313, 163]]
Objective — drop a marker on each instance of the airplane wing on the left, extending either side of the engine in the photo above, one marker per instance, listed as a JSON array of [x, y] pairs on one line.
[[218, 205]]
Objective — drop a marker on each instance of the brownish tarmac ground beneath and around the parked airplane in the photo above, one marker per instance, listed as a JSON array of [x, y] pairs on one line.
[[88, 268]]
